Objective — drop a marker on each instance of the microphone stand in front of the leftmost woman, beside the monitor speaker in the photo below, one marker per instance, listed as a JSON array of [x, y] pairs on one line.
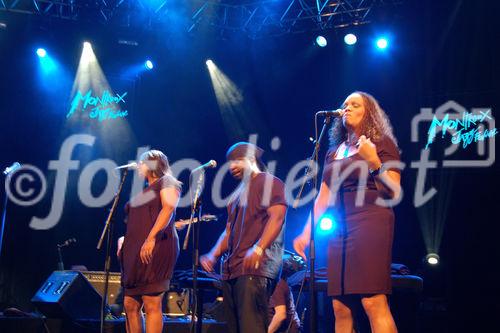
[[108, 231]]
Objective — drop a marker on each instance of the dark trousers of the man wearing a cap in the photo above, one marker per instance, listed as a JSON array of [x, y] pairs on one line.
[[246, 300]]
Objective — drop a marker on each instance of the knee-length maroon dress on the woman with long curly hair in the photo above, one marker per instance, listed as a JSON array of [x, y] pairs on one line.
[[359, 252]]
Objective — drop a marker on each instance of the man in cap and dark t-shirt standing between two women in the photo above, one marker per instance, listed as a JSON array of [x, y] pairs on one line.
[[252, 241]]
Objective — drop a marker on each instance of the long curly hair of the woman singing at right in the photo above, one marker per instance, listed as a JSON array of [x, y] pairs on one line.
[[374, 125]]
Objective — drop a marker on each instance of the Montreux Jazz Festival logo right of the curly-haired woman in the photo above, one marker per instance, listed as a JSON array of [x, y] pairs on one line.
[[465, 127]]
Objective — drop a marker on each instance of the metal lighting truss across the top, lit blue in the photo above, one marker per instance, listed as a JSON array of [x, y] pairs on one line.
[[254, 18]]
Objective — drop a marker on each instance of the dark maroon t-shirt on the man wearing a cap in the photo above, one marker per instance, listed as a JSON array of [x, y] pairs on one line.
[[247, 217]]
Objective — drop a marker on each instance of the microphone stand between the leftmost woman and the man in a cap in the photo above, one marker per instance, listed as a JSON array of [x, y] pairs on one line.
[[196, 209]]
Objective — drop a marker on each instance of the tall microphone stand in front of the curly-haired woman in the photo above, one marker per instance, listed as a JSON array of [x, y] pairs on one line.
[[312, 176]]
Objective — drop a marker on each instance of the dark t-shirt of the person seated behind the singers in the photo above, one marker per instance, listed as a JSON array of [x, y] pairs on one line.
[[283, 296]]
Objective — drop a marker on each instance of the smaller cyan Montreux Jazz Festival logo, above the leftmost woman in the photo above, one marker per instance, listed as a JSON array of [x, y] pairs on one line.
[[107, 106]]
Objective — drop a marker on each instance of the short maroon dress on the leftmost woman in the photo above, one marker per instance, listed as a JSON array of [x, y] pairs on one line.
[[142, 210]]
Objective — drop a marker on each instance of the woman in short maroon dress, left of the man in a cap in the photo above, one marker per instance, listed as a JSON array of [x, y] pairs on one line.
[[151, 244]]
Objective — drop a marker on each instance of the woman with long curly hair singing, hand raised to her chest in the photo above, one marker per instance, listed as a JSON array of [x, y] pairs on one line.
[[362, 161]]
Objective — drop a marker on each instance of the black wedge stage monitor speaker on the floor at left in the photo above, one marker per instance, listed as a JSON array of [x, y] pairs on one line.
[[68, 294]]
